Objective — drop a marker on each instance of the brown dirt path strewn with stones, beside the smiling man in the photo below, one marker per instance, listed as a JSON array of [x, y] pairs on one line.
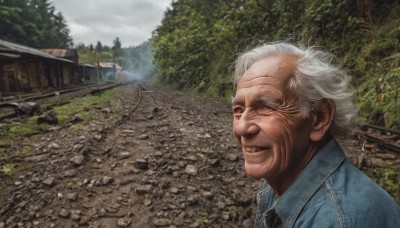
[[170, 162]]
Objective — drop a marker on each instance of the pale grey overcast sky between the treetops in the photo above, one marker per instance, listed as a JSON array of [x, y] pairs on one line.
[[132, 21]]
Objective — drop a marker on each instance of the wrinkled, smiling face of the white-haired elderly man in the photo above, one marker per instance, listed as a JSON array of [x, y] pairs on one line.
[[273, 135]]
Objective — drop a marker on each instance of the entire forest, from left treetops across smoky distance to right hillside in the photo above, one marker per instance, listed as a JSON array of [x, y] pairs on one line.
[[197, 41]]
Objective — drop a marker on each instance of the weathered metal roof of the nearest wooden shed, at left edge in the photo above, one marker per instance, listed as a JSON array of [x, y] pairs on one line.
[[7, 48]]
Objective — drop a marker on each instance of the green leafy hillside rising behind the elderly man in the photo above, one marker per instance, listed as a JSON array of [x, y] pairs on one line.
[[197, 42]]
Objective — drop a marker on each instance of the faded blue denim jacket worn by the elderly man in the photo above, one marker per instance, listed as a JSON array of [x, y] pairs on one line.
[[329, 192]]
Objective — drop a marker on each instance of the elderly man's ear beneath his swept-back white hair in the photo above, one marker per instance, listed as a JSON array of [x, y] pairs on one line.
[[322, 119]]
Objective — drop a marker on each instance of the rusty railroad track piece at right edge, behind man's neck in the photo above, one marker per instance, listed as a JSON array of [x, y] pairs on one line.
[[386, 138]]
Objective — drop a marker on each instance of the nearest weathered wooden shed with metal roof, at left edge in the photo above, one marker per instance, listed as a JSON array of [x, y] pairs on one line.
[[24, 69]]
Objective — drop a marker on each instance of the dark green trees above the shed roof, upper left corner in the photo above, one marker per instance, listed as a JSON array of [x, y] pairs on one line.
[[33, 23]]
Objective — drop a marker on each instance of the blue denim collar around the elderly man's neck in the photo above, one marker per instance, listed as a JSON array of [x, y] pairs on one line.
[[324, 163]]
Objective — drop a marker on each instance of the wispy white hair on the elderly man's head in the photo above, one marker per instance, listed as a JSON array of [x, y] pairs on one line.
[[316, 77]]
